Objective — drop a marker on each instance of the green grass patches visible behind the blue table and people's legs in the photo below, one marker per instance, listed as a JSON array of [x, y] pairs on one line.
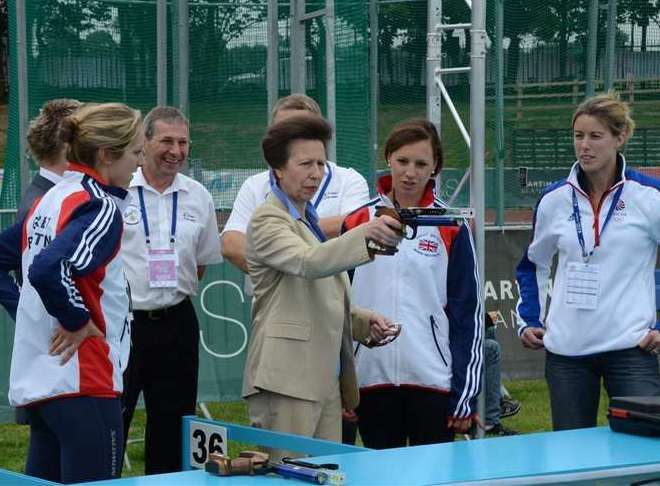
[[534, 416]]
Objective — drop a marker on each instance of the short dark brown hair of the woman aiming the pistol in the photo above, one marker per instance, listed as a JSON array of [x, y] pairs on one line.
[[278, 138]]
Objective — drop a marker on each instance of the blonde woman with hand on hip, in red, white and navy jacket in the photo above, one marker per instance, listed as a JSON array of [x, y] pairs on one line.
[[72, 335]]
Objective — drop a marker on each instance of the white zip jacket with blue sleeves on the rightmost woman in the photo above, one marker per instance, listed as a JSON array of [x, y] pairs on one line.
[[625, 253]]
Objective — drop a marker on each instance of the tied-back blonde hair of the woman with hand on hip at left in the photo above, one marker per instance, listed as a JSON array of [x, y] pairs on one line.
[[111, 126]]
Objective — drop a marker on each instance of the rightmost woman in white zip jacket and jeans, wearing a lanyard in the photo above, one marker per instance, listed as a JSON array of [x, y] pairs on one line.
[[604, 222]]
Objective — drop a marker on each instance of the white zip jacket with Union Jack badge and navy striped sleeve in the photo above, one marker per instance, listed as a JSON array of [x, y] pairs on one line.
[[430, 286]]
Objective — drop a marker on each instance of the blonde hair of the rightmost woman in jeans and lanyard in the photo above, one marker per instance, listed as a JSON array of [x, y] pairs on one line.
[[610, 111]]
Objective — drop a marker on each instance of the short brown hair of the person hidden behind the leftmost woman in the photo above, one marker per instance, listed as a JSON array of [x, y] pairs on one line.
[[44, 141]]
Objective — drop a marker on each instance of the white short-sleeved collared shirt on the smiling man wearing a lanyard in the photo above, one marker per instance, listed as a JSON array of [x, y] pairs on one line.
[[196, 241]]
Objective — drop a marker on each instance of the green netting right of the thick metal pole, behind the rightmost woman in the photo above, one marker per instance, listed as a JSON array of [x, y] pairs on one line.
[[545, 69]]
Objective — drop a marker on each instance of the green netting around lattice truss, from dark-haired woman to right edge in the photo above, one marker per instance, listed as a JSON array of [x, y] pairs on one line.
[[545, 56]]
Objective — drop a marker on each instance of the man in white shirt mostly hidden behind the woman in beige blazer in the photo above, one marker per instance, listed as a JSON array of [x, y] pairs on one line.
[[341, 191]]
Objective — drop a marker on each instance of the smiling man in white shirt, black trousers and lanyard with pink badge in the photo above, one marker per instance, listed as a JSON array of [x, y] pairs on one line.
[[170, 235]]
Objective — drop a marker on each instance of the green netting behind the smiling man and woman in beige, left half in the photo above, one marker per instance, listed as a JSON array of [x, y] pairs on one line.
[[106, 50]]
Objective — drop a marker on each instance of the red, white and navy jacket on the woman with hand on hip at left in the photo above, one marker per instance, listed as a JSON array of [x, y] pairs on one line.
[[68, 248]]
